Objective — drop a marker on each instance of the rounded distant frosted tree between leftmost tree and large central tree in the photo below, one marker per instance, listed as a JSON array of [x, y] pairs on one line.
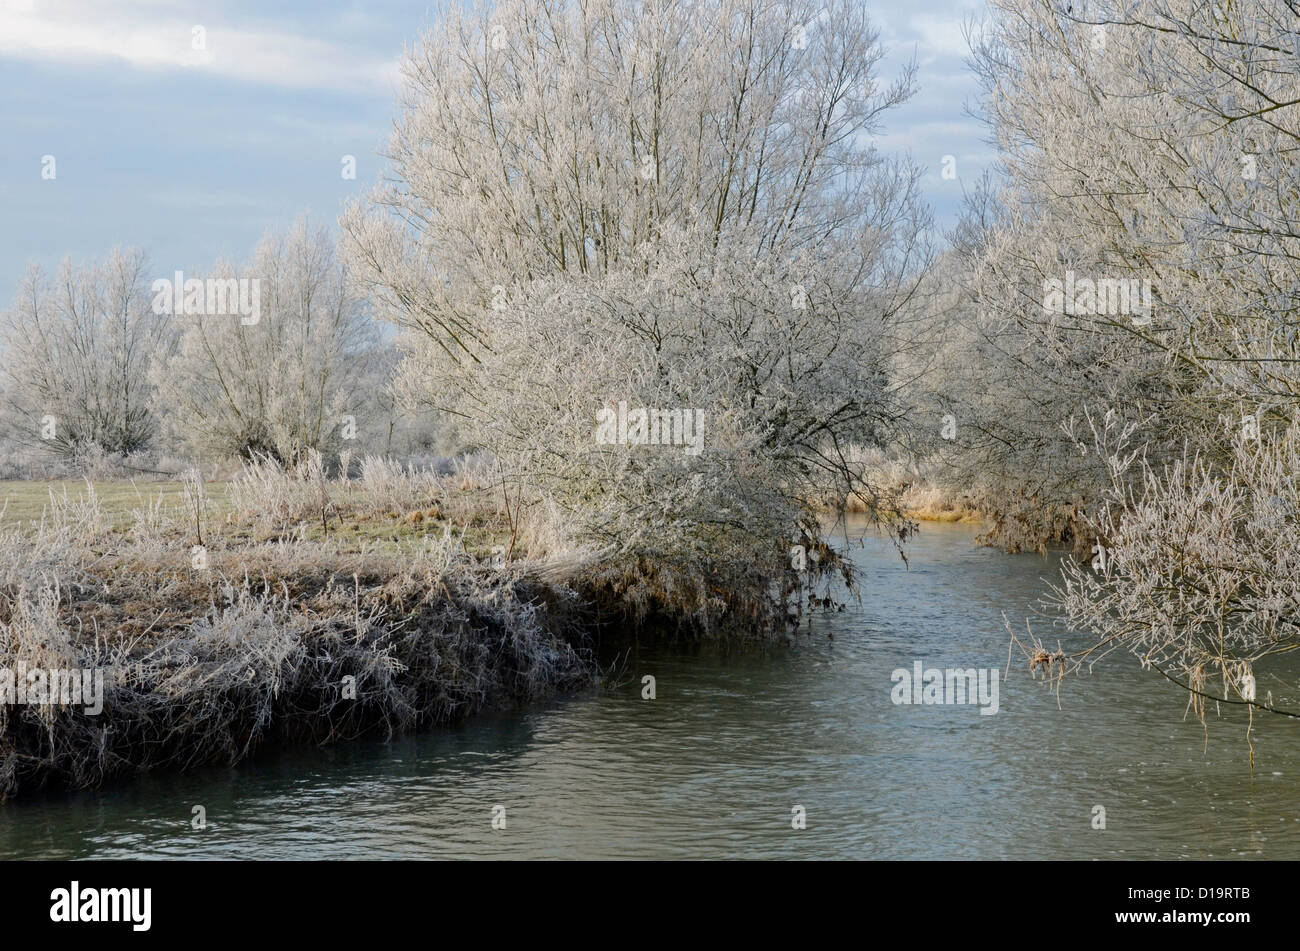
[[294, 380]]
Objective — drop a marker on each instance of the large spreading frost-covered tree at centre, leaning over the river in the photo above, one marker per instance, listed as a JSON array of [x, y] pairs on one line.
[[665, 207]]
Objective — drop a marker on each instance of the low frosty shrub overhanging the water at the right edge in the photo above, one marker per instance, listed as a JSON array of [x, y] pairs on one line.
[[1197, 571]]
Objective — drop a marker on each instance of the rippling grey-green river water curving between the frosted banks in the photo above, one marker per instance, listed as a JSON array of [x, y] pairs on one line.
[[735, 740]]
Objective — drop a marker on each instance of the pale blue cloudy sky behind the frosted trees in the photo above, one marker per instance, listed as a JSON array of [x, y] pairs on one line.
[[196, 154]]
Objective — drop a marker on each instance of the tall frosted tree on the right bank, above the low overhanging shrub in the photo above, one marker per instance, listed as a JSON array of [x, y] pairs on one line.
[[1150, 172]]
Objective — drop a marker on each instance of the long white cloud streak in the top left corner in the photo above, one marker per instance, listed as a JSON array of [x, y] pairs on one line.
[[149, 37]]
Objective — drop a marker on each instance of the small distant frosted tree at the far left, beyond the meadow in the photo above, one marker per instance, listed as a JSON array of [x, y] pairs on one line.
[[75, 353]]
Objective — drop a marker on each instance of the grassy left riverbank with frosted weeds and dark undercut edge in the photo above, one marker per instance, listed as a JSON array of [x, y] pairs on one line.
[[215, 619]]
